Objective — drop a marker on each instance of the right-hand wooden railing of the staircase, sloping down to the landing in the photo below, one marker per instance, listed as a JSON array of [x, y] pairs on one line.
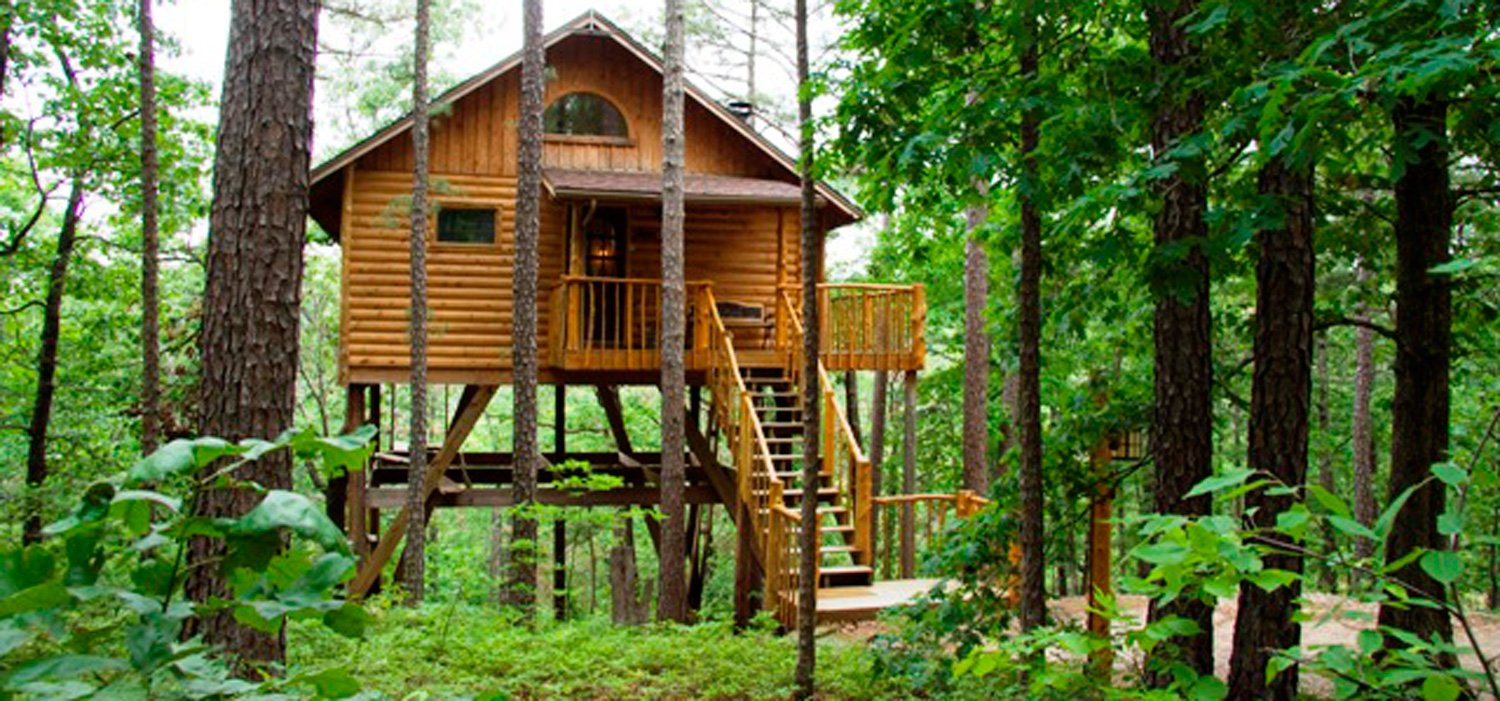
[[844, 462]]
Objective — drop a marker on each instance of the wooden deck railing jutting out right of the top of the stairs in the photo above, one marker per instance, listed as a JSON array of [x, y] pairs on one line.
[[868, 326]]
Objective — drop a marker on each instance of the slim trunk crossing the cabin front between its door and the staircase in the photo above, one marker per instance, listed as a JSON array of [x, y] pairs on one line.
[[673, 604]]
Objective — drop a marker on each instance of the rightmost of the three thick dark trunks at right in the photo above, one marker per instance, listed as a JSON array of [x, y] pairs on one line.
[[1424, 343]]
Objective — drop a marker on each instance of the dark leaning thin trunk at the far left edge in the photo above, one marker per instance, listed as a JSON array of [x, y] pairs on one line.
[[47, 363]]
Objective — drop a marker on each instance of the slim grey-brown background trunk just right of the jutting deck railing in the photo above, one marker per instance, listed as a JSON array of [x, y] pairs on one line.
[[976, 357]]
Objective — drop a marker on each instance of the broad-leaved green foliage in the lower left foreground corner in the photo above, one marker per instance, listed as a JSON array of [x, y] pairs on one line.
[[97, 610]]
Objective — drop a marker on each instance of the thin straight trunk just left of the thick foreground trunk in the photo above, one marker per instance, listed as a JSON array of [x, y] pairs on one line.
[[151, 305]]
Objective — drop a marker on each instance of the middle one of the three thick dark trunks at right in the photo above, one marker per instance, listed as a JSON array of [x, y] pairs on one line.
[[1279, 423]]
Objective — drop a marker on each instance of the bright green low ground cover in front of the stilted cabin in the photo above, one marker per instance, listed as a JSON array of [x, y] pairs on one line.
[[472, 652]]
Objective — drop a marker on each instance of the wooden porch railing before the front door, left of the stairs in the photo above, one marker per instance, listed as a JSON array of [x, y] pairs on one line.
[[614, 323]]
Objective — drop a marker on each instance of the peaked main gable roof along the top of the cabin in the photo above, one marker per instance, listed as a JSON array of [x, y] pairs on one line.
[[592, 25]]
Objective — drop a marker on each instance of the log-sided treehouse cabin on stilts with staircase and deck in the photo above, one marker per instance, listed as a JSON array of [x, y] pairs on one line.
[[599, 301]]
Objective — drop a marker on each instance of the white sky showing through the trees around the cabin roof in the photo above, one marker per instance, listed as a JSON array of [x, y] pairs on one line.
[[202, 28]]
